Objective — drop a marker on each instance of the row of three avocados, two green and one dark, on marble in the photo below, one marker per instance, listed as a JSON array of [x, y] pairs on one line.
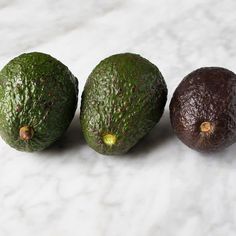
[[123, 99]]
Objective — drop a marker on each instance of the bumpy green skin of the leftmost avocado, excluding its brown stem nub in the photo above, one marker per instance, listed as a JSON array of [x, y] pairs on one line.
[[39, 91]]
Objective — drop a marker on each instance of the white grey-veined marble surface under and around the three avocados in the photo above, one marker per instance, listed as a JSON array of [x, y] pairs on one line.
[[161, 187]]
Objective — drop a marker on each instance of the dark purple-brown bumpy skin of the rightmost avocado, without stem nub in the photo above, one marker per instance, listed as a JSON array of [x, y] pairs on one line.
[[205, 95]]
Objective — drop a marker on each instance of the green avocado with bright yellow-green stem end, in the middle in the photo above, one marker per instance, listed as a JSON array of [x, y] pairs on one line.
[[123, 99]]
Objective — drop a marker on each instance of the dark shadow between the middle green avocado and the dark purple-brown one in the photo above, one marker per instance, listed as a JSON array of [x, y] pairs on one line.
[[158, 136]]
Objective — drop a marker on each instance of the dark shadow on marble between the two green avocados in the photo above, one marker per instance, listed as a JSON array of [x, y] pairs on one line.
[[72, 139]]
